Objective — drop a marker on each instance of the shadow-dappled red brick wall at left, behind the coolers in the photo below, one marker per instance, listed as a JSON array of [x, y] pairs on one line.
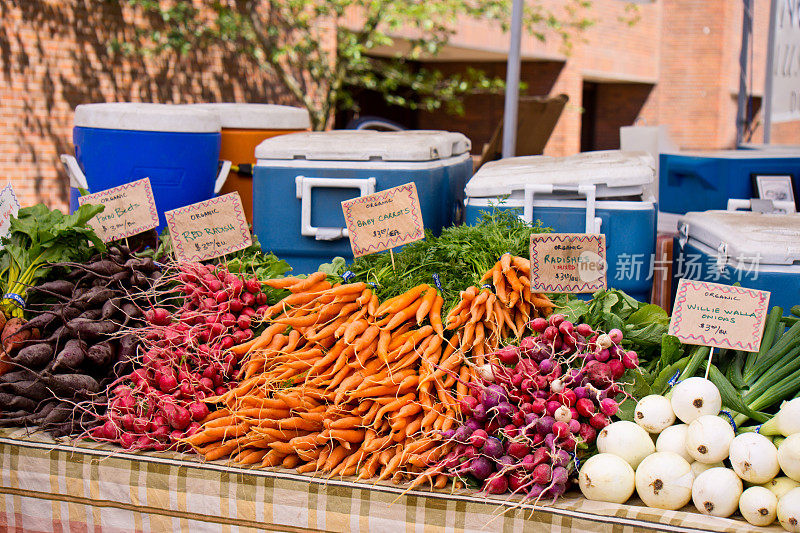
[[54, 55]]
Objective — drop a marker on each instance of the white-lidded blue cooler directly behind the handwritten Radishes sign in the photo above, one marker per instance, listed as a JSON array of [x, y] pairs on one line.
[[593, 192]]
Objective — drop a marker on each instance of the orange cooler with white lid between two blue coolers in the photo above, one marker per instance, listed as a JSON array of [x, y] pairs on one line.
[[244, 126]]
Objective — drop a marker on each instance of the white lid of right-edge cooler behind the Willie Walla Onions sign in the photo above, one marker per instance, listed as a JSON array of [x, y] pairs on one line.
[[775, 239]]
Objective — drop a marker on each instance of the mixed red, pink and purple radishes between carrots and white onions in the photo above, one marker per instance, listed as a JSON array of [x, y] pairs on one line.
[[534, 411]]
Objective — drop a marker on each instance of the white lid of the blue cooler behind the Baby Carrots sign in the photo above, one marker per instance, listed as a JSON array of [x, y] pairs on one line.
[[365, 145]]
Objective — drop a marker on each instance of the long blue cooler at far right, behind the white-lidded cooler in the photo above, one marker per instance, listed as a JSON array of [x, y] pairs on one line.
[[700, 181]]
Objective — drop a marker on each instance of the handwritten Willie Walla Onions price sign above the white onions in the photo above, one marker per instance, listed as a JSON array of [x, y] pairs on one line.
[[722, 316]]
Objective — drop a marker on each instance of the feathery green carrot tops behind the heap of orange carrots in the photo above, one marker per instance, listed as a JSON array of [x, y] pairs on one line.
[[458, 258]]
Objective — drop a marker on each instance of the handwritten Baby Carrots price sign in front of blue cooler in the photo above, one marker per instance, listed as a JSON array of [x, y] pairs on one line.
[[383, 220]]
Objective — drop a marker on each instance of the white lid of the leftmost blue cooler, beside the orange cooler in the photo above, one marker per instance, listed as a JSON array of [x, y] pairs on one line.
[[146, 117]]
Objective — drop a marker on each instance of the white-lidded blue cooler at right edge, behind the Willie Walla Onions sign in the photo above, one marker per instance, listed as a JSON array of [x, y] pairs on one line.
[[759, 251]]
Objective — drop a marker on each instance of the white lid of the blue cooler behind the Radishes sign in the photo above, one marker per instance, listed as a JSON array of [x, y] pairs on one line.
[[615, 173]]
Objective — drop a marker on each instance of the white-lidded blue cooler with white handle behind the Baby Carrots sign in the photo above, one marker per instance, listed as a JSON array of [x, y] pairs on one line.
[[301, 179]]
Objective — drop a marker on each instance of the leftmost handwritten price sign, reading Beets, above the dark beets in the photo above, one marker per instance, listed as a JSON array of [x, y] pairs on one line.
[[130, 209]]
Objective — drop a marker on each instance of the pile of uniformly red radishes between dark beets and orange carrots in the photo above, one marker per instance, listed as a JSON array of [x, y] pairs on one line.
[[184, 359]]
